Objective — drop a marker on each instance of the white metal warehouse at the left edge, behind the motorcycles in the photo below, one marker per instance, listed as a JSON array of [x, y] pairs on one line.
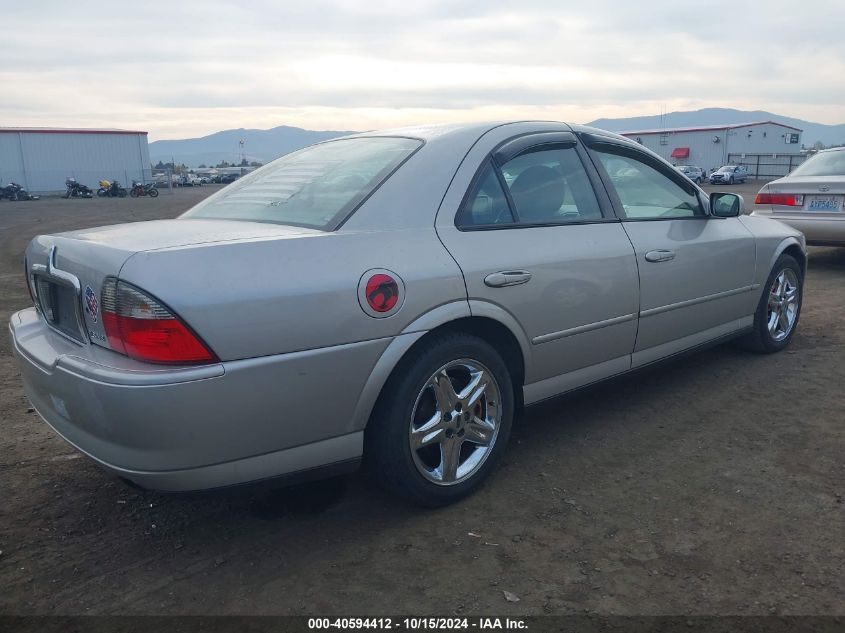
[[41, 159]]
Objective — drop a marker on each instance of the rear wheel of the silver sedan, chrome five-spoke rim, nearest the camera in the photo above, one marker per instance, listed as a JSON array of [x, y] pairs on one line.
[[442, 422]]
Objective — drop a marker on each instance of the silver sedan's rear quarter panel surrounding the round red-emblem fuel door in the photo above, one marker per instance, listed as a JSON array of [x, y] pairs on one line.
[[273, 296]]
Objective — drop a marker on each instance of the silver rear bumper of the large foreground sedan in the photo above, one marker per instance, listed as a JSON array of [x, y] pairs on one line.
[[197, 427]]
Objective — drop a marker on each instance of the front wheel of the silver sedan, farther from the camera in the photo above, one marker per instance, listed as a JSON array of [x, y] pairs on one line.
[[777, 314]]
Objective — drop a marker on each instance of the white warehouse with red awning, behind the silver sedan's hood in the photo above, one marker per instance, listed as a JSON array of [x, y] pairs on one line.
[[768, 149]]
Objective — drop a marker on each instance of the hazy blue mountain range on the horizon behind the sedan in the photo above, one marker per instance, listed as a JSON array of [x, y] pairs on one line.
[[265, 145]]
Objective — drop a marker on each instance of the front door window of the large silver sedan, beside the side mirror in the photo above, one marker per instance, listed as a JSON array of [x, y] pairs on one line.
[[646, 192]]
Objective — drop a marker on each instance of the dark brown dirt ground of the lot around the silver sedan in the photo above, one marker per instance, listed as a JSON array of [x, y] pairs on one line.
[[711, 485]]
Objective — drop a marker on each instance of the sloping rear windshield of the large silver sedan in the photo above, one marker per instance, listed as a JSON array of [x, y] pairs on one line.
[[316, 187]]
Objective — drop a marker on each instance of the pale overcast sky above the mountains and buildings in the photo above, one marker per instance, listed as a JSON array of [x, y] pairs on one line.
[[179, 69]]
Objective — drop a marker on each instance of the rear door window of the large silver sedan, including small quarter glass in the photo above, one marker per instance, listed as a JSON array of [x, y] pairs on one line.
[[543, 186]]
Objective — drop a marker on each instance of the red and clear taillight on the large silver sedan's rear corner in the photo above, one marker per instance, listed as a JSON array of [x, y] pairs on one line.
[[141, 327]]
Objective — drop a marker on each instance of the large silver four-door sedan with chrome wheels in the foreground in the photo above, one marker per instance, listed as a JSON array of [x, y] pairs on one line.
[[394, 295]]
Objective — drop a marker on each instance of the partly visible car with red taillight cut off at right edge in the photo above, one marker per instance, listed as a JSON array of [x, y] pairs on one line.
[[810, 199]]
